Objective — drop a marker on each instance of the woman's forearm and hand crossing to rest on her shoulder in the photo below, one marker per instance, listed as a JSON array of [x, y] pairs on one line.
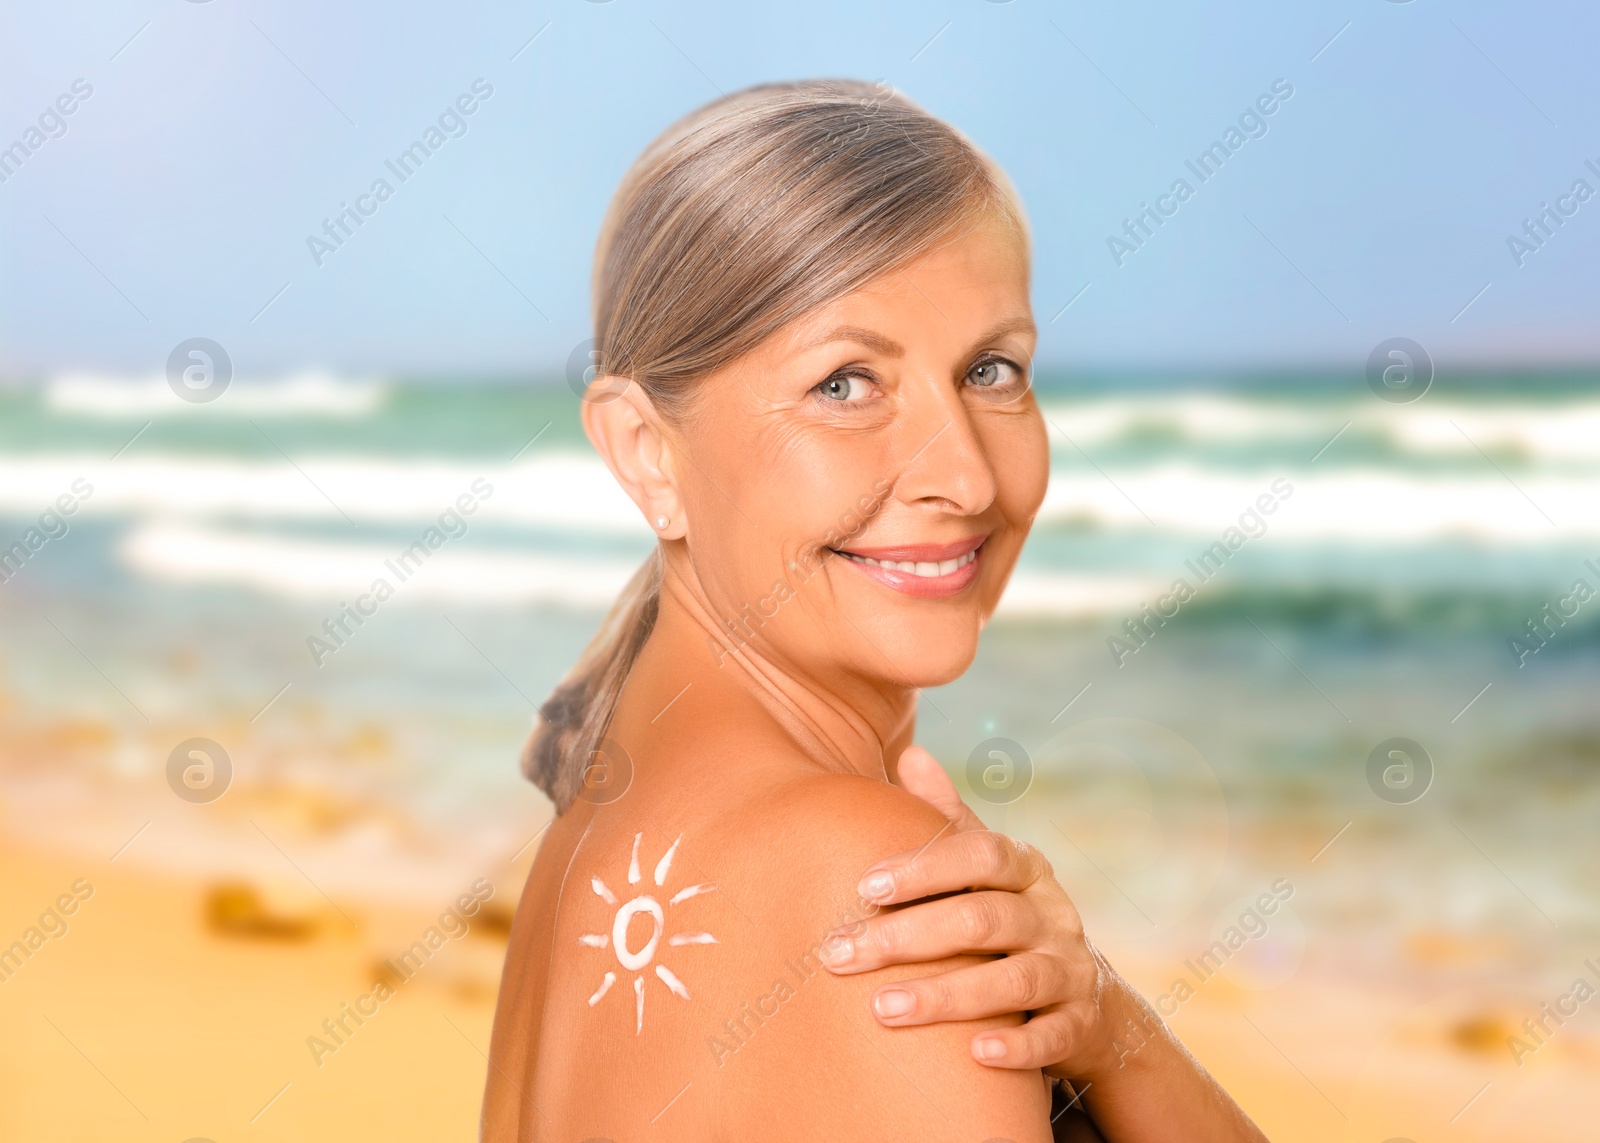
[[1087, 1025]]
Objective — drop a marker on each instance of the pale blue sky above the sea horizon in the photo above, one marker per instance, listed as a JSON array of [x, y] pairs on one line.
[[1378, 204]]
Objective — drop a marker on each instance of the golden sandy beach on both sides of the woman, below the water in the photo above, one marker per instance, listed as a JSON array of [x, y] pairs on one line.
[[154, 1019]]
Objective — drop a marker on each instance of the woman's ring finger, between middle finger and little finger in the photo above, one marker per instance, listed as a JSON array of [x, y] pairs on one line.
[[1017, 984]]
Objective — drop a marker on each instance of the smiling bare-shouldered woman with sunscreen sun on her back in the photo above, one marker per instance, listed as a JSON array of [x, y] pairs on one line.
[[812, 313]]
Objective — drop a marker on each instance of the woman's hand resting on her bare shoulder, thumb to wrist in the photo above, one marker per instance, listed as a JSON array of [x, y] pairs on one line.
[[1014, 907]]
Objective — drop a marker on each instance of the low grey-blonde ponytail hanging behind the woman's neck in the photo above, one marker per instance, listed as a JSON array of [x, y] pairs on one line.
[[575, 718]]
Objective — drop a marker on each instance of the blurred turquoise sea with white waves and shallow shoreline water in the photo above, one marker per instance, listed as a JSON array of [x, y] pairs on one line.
[[1385, 696]]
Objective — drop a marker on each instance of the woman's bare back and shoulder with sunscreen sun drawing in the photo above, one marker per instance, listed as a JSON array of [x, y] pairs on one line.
[[663, 977]]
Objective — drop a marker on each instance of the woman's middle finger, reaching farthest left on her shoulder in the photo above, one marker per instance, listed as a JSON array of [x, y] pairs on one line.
[[967, 923]]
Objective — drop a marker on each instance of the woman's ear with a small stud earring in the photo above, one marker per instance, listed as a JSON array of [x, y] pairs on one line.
[[634, 443]]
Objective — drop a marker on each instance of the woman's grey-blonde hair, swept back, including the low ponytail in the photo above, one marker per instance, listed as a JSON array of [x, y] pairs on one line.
[[738, 220]]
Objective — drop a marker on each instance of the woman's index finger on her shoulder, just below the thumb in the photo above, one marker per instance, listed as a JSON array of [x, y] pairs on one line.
[[954, 862]]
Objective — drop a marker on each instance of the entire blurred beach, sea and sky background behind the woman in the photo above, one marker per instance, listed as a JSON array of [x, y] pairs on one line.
[[239, 379]]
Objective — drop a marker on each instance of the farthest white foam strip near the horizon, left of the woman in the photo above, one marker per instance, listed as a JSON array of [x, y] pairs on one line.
[[302, 395]]
